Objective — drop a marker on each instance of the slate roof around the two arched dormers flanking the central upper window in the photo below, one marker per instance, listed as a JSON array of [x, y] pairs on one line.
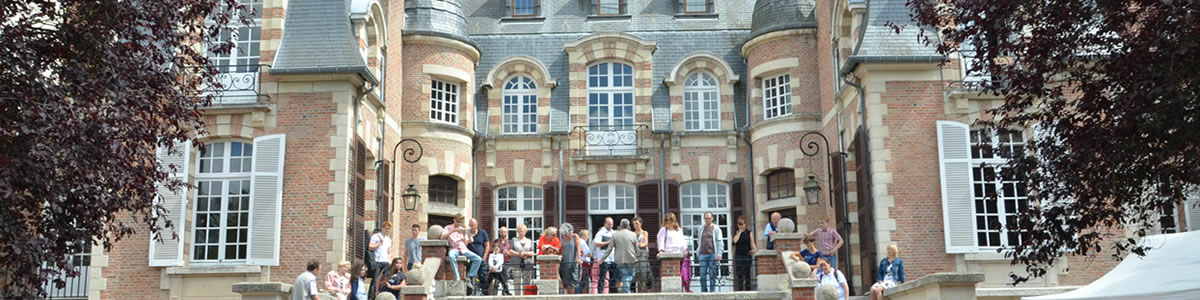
[[548, 49]]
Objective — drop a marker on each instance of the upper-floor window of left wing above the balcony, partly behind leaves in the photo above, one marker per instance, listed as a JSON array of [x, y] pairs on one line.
[[244, 58]]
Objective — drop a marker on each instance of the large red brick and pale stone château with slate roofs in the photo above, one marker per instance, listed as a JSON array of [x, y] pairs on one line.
[[549, 112]]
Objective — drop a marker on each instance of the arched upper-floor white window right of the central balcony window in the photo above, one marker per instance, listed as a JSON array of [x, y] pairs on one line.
[[701, 104]]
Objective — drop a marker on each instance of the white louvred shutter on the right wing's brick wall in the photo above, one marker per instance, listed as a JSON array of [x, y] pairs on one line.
[[958, 207]]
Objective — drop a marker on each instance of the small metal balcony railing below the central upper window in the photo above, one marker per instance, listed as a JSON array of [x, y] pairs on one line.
[[610, 141]]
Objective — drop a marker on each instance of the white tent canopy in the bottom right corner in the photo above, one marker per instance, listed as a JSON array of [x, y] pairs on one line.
[[1169, 271]]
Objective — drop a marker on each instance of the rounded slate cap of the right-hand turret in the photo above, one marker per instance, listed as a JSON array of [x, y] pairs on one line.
[[782, 15]]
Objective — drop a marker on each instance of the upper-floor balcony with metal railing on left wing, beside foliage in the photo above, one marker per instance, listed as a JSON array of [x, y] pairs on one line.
[[238, 85]]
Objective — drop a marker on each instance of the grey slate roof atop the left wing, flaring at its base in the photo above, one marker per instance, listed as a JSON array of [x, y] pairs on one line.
[[319, 40]]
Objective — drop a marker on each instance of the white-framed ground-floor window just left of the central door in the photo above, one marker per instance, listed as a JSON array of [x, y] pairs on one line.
[[520, 206]]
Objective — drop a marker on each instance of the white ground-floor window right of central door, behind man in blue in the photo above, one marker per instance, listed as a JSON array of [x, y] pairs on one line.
[[695, 200]]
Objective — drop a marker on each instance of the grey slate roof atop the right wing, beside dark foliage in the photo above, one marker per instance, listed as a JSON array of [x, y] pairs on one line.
[[881, 44]]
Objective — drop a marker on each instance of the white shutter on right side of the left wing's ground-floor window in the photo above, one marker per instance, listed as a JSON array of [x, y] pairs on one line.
[[266, 201]]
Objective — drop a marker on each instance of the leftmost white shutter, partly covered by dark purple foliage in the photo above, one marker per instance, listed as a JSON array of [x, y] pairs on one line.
[[170, 253]]
